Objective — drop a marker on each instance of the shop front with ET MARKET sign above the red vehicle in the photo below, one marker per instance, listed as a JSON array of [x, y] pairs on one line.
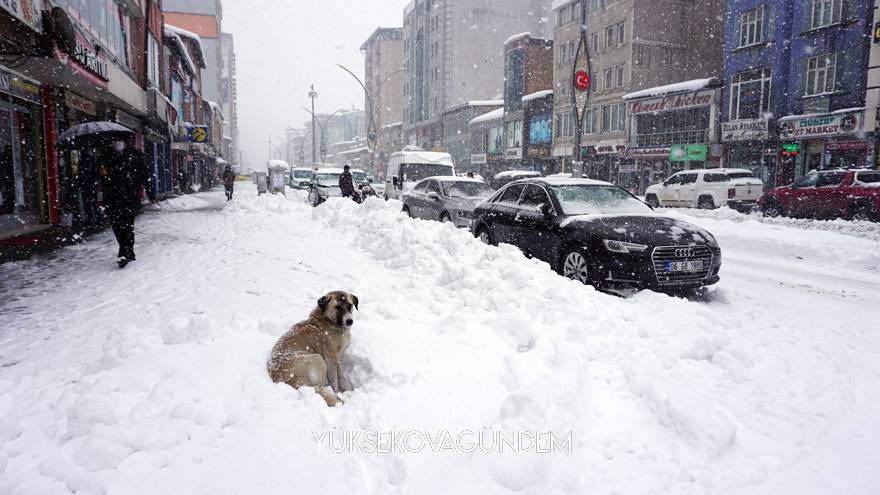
[[824, 141]]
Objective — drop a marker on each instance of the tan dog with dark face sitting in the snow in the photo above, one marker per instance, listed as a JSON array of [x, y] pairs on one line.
[[309, 354]]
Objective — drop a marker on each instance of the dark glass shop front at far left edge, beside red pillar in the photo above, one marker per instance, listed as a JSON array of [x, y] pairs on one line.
[[23, 200]]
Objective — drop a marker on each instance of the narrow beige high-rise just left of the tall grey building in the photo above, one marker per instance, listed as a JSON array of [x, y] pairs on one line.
[[383, 78]]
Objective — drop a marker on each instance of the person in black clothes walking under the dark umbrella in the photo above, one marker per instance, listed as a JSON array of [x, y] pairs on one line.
[[123, 172]]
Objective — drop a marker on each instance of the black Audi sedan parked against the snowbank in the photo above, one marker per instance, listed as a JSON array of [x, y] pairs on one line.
[[599, 234]]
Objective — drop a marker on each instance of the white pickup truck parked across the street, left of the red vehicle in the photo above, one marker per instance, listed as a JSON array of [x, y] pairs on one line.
[[708, 189]]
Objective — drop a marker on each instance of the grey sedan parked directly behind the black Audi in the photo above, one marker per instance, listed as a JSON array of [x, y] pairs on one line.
[[447, 199]]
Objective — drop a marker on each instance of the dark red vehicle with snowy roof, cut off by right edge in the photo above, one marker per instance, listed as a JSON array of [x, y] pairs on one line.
[[852, 194]]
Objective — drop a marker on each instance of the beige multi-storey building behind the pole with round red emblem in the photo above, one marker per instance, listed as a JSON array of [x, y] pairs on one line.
[[633, 45]]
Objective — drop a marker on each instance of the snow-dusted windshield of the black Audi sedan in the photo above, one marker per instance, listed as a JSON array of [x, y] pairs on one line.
[[598, 199]]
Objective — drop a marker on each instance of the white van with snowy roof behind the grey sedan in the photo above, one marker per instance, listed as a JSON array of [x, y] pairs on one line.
[[406, 168]]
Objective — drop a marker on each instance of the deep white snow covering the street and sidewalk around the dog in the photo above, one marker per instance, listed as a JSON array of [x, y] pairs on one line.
[[153, 379]]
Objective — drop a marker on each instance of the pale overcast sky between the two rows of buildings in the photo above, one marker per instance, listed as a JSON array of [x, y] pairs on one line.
[[284, 46]]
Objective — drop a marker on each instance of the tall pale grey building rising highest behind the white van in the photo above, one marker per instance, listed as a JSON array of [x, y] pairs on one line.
[[453, 54]]
